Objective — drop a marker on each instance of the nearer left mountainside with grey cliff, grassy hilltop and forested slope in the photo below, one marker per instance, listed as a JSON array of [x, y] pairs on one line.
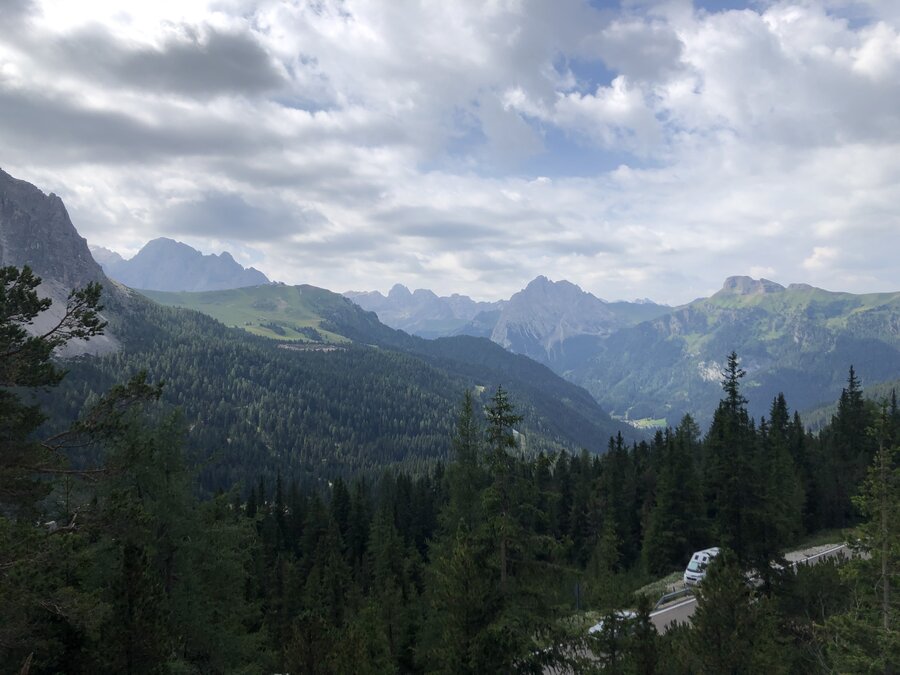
[[344, 392]]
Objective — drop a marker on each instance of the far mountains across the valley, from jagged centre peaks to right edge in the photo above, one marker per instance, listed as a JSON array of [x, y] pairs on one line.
[[650, 364]]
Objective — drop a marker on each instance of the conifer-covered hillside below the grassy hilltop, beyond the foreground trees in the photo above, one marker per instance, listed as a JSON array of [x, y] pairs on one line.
[[257, 408]]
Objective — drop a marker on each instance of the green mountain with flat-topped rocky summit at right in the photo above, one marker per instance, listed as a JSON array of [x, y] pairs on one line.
[[799, 340]]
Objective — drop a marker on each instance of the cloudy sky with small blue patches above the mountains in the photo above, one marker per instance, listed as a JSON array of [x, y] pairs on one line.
[[637, 148]]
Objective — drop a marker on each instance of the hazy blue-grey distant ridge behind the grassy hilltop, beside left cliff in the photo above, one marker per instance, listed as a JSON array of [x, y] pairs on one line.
[[167, 265]]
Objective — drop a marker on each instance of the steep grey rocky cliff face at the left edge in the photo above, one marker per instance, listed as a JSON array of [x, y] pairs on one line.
[[35, 230]]
